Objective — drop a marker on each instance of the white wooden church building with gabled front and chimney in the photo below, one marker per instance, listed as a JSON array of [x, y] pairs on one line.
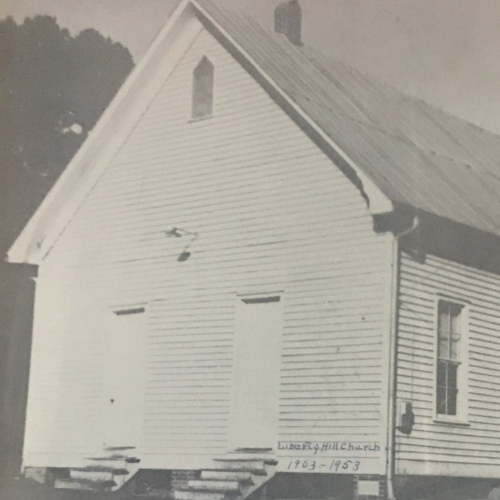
[[262, 266]]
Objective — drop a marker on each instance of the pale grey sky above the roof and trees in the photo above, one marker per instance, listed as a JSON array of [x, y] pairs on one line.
[[446, 52]]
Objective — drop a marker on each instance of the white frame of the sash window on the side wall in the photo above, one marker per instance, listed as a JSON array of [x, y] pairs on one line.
[[462, 415]]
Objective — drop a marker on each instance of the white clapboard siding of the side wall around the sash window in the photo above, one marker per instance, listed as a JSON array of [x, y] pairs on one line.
[[450, 448]]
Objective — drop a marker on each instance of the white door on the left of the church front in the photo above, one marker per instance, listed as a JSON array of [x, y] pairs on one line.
[[124, 402]]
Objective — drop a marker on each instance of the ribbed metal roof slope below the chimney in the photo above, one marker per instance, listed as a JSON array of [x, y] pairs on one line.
[[417, 154]]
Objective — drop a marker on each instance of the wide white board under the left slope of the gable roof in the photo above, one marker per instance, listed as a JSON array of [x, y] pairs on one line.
[[82, 173]]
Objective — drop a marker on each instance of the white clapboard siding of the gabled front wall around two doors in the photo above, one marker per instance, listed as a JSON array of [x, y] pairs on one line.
[[273, 215]]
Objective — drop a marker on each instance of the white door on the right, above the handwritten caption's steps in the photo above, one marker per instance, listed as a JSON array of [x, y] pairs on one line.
[[254, 418]]
